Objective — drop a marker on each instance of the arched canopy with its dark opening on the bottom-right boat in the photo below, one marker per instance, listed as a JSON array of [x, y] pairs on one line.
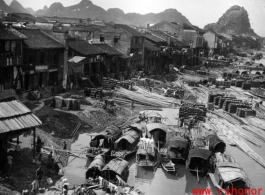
[[231, 174]]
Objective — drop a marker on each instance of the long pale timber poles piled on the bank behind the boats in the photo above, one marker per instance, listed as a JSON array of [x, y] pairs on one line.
[[145, 98]]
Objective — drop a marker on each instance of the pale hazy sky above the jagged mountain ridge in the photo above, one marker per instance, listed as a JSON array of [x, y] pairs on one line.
[[199, 12]]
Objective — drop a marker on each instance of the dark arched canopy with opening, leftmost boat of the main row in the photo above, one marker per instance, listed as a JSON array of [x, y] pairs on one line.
[[107, 137]]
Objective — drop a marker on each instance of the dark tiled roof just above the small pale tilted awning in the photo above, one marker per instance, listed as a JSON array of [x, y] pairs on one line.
[[85, 48]]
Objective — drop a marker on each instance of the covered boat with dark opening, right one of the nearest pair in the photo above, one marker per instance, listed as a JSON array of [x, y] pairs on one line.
[[115, 167]]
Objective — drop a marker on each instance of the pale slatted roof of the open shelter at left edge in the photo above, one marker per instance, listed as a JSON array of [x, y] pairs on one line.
[[16, 116]]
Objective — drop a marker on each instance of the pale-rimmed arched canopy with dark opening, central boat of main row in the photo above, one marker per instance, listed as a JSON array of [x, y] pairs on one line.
[[158, 131]]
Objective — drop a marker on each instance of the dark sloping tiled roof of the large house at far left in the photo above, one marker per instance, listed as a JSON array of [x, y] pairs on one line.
[[39, 40]]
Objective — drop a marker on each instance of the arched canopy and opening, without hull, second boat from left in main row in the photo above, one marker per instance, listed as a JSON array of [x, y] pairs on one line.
[[128, 141]]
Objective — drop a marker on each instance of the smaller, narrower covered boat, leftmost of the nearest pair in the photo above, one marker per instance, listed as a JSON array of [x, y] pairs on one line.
[[95, 167]]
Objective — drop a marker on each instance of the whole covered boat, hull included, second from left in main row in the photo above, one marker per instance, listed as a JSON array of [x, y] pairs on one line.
[[126, 144]]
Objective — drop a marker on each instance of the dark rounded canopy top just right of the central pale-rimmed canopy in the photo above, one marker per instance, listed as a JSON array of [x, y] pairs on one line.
[[176, 141]]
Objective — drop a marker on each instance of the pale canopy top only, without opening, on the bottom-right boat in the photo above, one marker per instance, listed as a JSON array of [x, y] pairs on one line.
[[232, 172]]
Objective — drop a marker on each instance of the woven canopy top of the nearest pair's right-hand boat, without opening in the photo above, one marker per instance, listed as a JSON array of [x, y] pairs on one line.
[[116, 165]]
